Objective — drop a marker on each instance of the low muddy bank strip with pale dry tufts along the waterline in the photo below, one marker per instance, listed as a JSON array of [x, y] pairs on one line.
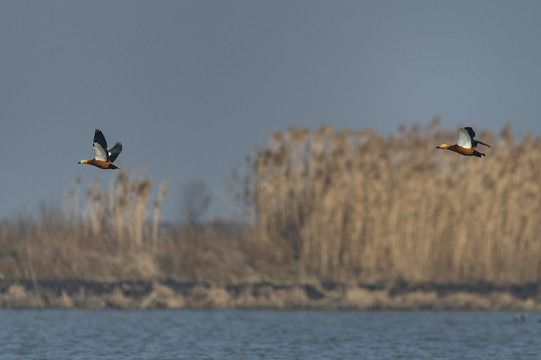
[[170, 294]]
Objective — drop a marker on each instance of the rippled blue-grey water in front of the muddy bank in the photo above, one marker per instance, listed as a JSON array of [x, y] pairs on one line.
[[74, 334]]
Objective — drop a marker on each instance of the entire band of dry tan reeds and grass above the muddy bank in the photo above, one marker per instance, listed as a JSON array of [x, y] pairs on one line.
[[322, 206]]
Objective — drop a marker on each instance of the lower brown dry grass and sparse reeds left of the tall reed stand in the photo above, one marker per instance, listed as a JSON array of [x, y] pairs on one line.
[[116, 234]]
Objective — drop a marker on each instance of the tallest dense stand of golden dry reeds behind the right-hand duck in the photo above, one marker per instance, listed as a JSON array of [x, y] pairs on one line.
[[355, 206]]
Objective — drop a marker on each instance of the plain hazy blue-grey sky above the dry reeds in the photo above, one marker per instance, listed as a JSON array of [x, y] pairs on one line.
[[189, 87]]
